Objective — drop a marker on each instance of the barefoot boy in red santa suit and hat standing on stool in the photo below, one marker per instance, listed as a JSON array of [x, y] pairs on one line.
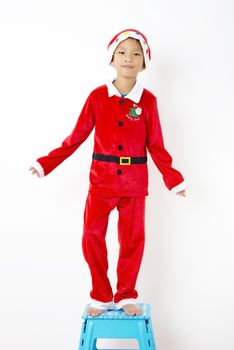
[[126, 123]]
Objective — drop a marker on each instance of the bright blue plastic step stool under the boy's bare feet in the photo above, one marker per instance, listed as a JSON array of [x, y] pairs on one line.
[[116, 324]]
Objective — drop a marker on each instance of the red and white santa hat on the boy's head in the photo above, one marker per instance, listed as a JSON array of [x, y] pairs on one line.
[[129, 33]]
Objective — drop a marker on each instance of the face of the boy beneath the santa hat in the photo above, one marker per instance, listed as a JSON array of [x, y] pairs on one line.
[[128, 58]]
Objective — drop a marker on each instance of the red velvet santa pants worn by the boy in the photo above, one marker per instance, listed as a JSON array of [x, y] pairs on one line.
[[131, 238]]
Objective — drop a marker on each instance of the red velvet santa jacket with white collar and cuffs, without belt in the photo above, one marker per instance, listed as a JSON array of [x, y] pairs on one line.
[[124, 127]]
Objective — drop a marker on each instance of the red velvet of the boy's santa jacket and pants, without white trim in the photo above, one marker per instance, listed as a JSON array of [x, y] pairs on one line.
[[123, 128]]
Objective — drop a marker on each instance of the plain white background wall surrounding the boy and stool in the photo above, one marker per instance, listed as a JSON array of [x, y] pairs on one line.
[[53, 53]]
